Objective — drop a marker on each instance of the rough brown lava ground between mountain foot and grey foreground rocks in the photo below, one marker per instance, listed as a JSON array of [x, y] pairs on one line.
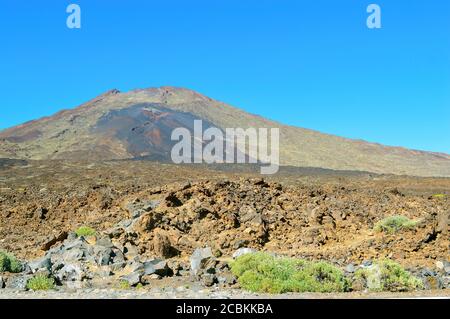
[[316, 216]]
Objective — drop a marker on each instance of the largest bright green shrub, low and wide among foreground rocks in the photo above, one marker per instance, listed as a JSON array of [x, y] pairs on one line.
[[261, 272]]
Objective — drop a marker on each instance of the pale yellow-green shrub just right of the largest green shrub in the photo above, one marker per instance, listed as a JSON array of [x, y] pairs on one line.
[[387, 275]]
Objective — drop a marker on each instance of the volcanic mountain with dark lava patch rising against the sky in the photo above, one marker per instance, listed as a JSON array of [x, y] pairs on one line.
[[139, 123]]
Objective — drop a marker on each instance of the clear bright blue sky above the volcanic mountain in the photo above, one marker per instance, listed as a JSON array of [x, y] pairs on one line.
[[311, 63]]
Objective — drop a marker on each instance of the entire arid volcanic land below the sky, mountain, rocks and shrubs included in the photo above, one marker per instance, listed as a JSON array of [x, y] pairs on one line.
[[90, 199]]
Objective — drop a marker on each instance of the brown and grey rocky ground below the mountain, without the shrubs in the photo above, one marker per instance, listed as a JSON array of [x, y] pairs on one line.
[[170, 231]]
